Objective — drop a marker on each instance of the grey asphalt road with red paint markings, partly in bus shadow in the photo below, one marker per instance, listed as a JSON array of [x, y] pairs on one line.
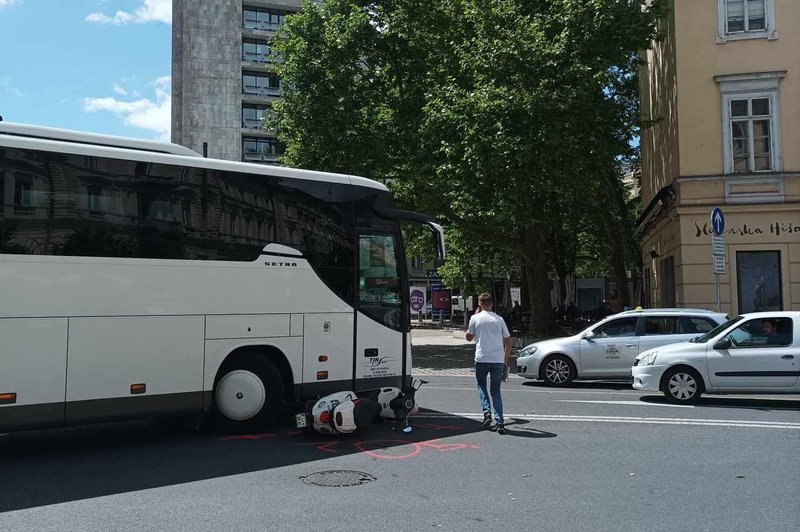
[[598, 456]]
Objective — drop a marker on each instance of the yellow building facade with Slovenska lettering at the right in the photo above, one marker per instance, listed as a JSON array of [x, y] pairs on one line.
[[722, 94]]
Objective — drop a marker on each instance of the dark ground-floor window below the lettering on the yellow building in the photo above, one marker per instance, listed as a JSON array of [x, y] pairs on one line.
[[758, 279]]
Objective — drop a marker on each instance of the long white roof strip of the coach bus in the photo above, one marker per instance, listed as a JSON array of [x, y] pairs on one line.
[[90, 144]]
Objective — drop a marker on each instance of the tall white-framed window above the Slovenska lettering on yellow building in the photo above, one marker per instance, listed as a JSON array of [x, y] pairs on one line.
[[751, 122]]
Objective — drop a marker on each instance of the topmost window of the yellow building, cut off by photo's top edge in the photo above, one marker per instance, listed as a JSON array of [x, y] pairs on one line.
[[745, 19]]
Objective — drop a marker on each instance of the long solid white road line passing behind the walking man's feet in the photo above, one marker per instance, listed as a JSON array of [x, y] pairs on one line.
[[635, 420]]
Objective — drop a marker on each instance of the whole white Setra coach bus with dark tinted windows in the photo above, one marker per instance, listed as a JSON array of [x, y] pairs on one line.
[[138, 278]]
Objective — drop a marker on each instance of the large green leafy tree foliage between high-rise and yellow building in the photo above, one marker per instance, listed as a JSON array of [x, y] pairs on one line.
[[505, 117]]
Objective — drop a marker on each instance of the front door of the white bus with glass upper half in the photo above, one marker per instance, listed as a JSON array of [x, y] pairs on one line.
[[380, 316]]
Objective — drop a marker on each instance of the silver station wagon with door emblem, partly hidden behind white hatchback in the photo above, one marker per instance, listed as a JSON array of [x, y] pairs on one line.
[[607, 349]]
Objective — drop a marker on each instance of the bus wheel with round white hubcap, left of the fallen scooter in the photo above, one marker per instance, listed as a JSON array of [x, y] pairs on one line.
[[248, 394]]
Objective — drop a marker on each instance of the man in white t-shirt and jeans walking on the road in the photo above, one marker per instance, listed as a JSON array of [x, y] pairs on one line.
[[493, 346]]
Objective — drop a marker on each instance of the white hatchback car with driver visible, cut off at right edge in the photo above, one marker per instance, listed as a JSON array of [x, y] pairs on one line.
[[752, 353]]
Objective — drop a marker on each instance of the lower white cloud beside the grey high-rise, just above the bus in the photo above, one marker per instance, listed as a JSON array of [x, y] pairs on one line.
[[152, 115]]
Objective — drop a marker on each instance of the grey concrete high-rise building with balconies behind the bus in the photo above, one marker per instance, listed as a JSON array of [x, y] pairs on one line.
[[223, 76]]
